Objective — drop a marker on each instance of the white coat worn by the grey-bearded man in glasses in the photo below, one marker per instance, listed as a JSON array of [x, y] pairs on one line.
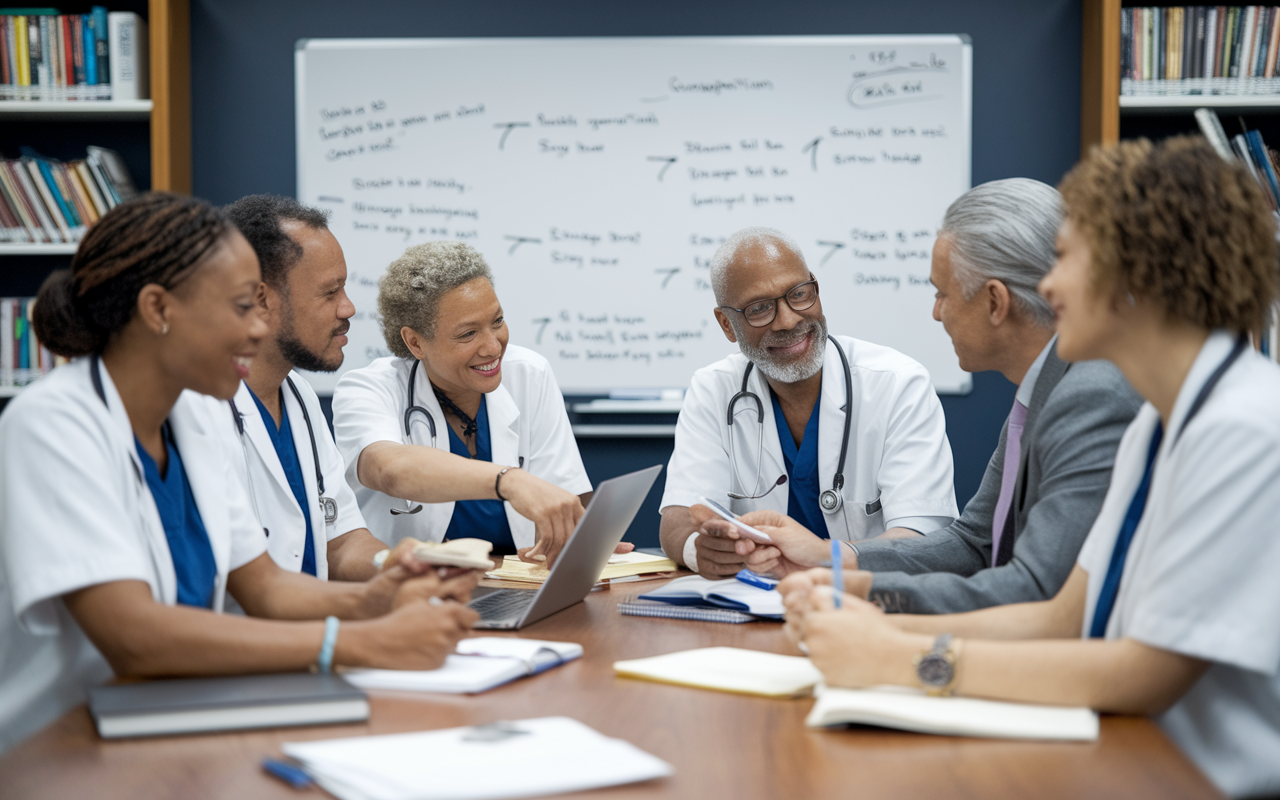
[[899, 461]]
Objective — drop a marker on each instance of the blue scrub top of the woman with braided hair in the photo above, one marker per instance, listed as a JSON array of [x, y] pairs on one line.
[[189, 541]]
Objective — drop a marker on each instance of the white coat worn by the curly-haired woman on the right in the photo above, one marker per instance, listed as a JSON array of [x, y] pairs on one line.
[[1201, 575]]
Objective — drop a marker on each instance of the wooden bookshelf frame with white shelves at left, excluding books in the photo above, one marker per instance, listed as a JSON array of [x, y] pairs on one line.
[[154, 136]]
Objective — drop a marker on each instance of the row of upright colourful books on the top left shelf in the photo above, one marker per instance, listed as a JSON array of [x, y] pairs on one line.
[[45, 56]]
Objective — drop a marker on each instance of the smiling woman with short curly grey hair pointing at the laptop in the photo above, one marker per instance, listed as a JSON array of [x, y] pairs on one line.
[[459, 435]]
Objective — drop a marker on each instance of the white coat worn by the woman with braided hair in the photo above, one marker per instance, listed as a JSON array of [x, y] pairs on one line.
[[76, 513]]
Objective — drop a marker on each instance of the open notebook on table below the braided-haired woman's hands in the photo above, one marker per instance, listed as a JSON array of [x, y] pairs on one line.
[[479, 665]]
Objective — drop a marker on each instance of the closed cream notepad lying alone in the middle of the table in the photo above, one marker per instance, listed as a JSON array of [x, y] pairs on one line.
[[735, 670]]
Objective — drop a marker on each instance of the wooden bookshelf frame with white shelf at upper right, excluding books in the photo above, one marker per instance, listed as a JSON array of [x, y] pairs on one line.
[[1107, 117]]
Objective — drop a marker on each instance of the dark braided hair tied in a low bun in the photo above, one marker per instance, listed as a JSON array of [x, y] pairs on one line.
[[153, 239]]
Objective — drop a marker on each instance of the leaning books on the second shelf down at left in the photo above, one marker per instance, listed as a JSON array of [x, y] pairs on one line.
[[51, 202]]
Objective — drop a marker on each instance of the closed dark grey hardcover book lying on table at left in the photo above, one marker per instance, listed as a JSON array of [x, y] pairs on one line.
[[191, 706]]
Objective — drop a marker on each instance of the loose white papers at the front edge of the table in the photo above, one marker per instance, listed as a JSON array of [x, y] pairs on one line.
[[533, 757]]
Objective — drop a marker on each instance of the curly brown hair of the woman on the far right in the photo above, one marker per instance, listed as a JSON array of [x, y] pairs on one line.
[[1177, 223]]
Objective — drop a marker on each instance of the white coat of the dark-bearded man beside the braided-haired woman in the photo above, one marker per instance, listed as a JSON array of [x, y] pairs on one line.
[[273, 499]]
